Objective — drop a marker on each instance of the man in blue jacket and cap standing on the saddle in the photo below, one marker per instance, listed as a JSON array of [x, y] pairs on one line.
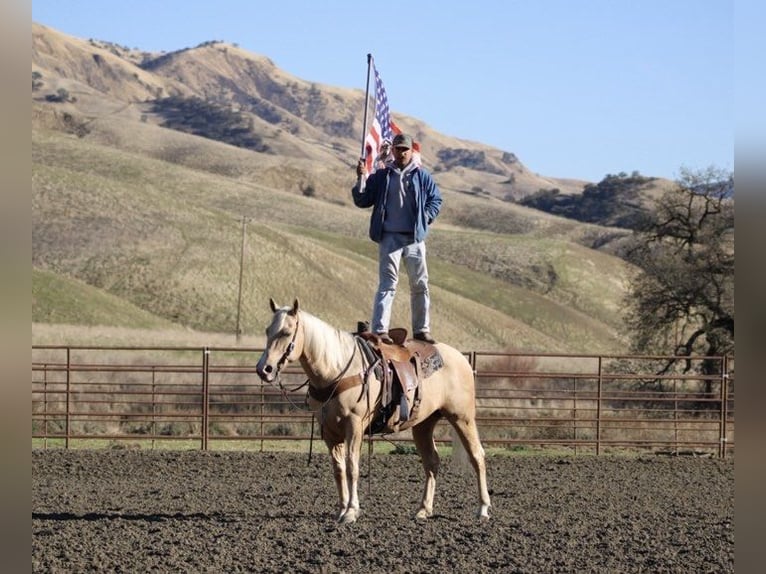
[[405, 201]]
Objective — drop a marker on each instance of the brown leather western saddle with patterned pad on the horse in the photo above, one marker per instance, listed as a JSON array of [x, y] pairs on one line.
[[405, 364]]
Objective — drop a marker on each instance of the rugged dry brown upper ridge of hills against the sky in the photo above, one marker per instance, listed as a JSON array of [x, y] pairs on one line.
[[295, 119]]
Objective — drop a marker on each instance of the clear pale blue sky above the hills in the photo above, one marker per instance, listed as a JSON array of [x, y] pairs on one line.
[[574, 88]]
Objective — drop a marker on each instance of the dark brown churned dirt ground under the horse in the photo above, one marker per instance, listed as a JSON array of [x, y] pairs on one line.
[[143, 511]]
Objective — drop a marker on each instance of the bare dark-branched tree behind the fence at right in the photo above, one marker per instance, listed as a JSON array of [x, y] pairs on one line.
[[682, 300]]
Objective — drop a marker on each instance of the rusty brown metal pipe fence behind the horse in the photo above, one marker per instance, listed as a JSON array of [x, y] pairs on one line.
[[151, 396]]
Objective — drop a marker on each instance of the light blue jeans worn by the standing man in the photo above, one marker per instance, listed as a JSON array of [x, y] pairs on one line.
[[394, 247]]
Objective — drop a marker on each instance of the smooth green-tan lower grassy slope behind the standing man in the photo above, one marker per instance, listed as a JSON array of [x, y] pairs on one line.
[[166, 238]]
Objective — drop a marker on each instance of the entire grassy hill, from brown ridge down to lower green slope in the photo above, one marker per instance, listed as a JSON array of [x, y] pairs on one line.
[[150, 214]]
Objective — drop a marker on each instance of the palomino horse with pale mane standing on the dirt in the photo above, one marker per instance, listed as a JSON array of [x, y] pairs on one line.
[[344, 393]]
